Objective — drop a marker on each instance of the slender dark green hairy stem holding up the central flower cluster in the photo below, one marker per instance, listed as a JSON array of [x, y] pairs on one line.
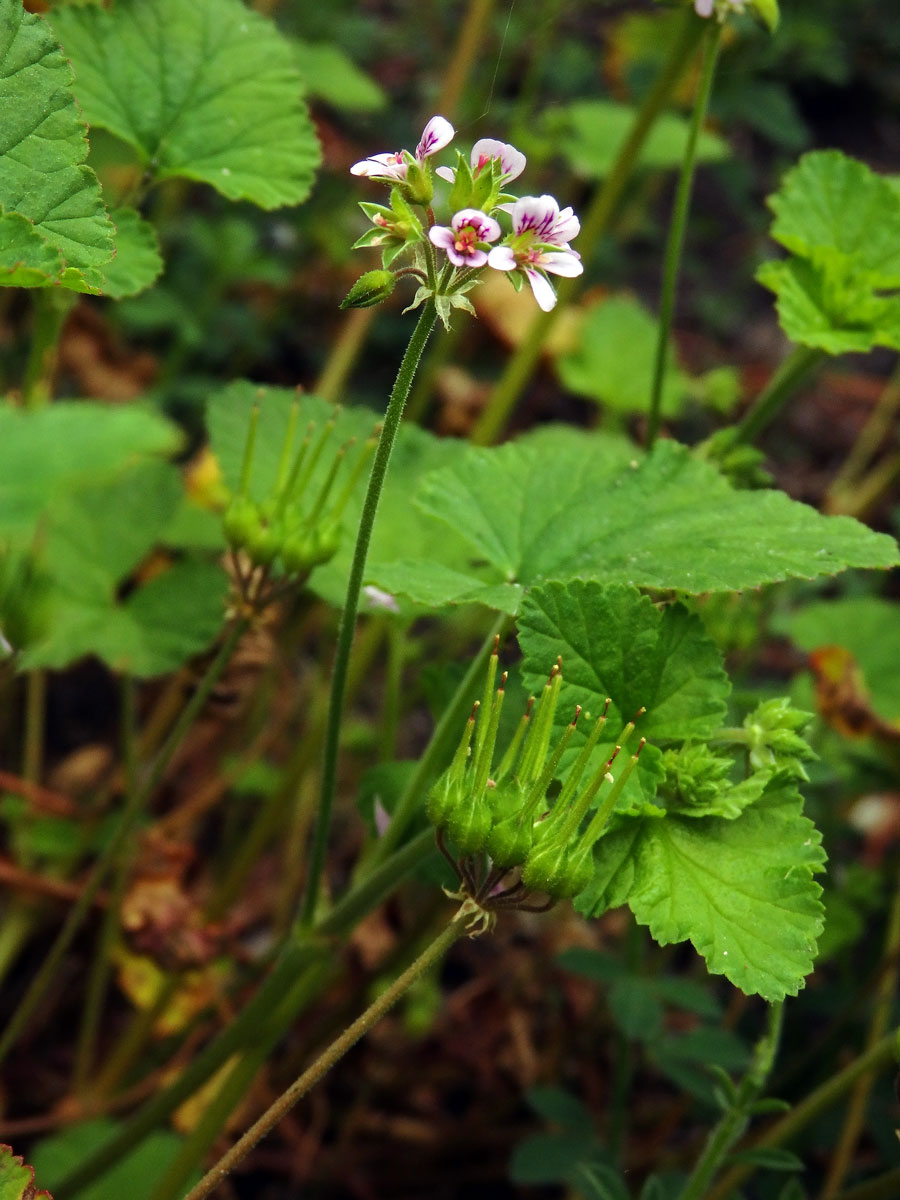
[[349, 617]]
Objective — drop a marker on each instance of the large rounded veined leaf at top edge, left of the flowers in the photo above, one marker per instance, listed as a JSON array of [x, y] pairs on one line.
[[208, 92]]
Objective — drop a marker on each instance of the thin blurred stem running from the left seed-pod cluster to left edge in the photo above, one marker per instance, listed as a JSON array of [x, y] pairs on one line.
[[110, 856]]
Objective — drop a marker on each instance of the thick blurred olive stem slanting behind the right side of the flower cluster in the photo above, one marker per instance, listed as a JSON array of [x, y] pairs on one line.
[[521, 365]]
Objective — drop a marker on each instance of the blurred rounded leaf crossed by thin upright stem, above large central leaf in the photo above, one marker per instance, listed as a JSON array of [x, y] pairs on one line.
[[613, 362]]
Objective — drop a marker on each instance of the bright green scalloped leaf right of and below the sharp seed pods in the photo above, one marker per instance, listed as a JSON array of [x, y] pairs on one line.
[[742, 892]]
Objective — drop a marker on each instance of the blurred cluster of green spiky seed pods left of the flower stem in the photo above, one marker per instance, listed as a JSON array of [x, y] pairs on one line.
[[298, 526]]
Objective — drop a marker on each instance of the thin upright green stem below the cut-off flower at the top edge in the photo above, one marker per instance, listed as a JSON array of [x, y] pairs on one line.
[[675, 245]]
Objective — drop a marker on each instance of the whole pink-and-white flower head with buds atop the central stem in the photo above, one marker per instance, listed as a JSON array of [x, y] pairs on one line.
[[536, 247]]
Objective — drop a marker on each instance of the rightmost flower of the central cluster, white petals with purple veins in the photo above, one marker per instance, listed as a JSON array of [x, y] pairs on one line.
[[539, 244]]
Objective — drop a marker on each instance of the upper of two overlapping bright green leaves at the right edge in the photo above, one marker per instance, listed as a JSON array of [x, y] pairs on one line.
[[830, 205]]
